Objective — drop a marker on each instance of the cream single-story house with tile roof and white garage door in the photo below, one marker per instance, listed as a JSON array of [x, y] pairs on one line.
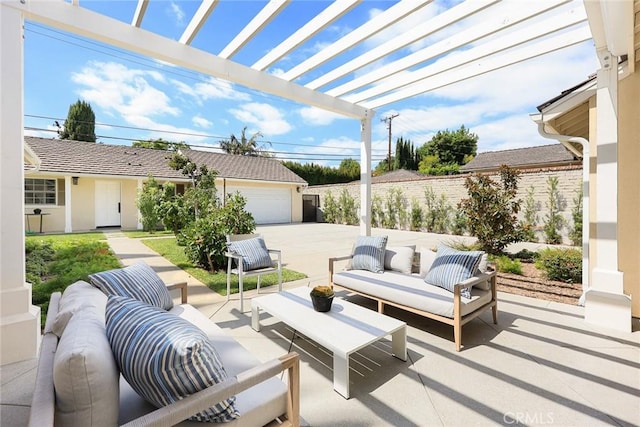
[[83, 185]]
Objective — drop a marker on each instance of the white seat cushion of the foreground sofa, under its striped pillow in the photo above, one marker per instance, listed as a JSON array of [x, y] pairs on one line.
[[257, 405]]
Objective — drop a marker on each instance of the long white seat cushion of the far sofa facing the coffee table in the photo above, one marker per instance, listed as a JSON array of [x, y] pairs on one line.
[[410, 291]]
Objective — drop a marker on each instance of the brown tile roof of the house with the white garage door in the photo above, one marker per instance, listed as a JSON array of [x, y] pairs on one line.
[[88, 158]]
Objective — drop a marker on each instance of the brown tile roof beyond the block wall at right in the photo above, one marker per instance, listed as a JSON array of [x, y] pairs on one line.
[[545, 155]]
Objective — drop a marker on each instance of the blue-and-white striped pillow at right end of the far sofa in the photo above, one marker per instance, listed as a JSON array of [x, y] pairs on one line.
[[452, 267]]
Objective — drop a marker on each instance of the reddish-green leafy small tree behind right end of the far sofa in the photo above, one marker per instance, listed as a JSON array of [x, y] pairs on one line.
[[492, 209]]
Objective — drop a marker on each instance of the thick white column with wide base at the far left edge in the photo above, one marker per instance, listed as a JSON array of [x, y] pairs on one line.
[[19, 319]]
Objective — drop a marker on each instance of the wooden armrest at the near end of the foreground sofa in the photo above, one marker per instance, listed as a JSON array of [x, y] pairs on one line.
[[183, 409]]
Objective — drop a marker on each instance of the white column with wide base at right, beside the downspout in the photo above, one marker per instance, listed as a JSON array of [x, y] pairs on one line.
[[605, 301]]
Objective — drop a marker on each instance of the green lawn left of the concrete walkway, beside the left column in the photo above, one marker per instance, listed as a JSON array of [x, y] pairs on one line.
[[54, 262]]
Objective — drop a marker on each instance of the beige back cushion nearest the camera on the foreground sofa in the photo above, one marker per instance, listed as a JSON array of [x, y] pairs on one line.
[[85, 375]]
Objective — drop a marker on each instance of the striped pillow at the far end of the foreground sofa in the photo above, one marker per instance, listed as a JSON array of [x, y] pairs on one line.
[[137, 281]]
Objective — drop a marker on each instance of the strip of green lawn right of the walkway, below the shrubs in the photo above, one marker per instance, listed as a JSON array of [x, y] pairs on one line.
[[217, 282]]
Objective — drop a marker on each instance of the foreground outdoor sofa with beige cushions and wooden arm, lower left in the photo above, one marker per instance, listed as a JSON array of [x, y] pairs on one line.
[[81, 380]]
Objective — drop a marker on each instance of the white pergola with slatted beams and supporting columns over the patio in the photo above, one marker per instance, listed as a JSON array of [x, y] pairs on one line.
[[491, 34]]
